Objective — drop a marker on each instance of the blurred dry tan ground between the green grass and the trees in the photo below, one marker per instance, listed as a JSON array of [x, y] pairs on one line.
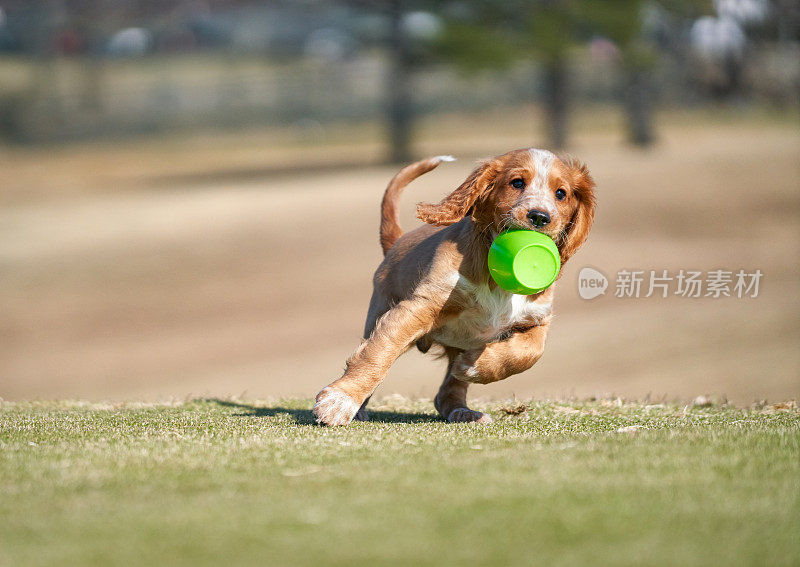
[[184, 267]]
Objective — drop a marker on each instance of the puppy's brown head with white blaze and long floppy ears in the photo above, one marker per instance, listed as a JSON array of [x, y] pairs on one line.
[[525, 189]]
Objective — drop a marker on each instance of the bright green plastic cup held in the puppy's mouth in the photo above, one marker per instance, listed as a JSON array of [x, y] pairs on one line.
[[524, 261]]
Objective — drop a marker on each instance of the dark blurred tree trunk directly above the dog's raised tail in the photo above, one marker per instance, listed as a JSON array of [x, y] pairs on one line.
[[400, 114]]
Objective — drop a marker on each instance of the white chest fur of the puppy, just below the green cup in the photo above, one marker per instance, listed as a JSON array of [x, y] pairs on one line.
[[488, 313]]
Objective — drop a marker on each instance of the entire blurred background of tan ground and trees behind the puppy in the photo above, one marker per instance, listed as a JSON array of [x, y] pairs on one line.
[[189, 190]]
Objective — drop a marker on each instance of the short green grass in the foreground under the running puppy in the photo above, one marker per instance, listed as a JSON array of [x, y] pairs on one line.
[[550, 483]]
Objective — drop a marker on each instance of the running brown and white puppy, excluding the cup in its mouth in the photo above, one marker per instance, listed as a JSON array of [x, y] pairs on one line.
[[434, 287]]
